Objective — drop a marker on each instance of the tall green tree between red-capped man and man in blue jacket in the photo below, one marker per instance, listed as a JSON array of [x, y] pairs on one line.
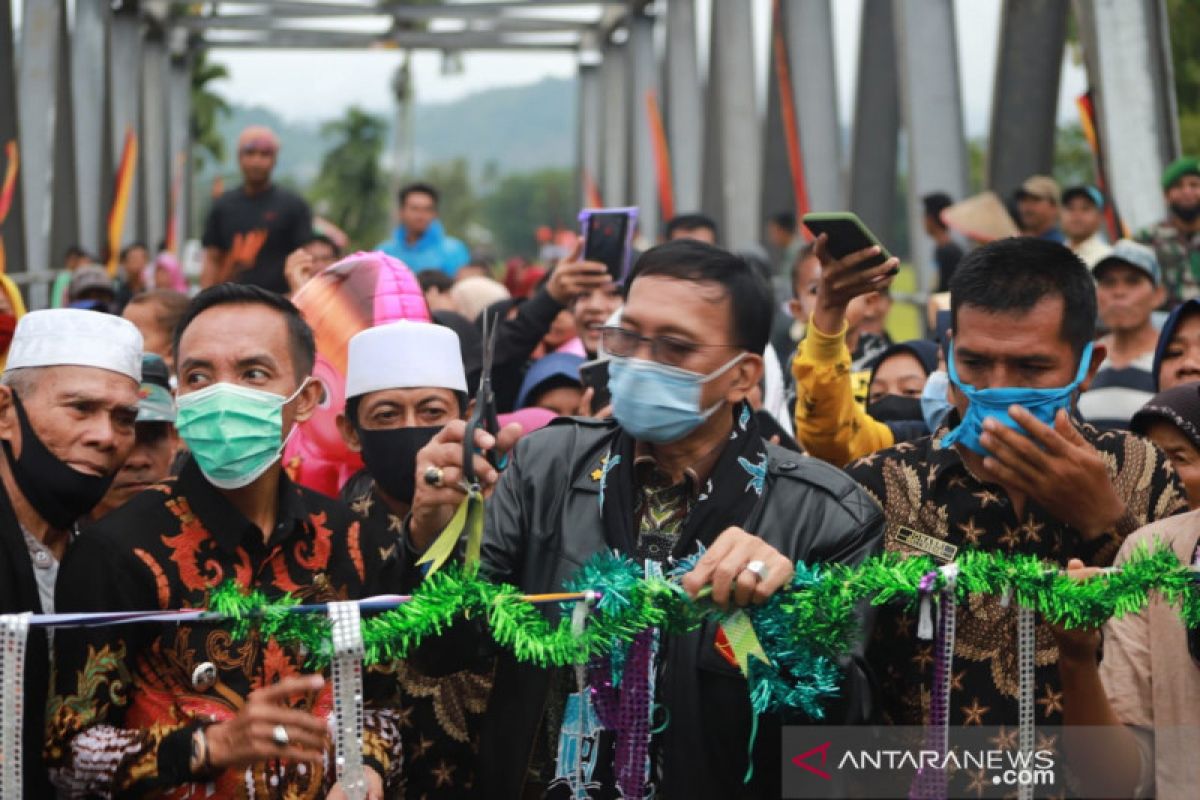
[[351, 189]]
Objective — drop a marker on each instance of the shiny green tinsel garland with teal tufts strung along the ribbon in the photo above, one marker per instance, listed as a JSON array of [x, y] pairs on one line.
[[805, 629]]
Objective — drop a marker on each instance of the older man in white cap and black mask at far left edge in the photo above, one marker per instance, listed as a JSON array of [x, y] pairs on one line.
[[69, 400]]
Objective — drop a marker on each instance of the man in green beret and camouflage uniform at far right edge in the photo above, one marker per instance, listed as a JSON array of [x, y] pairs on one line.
[[1177, 240]]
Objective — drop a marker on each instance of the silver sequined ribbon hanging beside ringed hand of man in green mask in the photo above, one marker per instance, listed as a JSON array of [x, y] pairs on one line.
[[347, 670]]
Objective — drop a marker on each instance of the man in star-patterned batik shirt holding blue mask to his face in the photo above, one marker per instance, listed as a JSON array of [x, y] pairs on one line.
[[1017, 474]]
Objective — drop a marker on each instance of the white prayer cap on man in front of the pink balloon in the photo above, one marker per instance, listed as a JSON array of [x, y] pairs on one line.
[[405, 356]]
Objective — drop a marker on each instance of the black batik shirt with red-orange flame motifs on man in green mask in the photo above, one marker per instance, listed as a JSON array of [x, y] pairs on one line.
[[128, 699]]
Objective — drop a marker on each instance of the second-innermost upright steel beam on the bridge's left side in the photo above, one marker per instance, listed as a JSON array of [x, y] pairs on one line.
[[153, 152]]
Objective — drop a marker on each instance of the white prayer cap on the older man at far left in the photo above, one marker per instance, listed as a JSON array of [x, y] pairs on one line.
[[58, 338]]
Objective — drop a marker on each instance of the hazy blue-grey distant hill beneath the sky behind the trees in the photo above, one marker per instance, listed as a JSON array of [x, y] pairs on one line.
[[513, 130]]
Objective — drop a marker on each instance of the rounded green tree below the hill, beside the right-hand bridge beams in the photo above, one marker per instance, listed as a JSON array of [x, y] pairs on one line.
[[523, 203]]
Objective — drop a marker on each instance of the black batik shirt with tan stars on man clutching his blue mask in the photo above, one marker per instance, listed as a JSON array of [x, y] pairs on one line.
[[935, 507]]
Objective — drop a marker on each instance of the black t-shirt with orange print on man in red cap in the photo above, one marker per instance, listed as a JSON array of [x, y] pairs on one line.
[[257, 233]]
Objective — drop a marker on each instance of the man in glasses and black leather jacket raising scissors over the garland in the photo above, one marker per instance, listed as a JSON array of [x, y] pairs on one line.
[[682, 465]]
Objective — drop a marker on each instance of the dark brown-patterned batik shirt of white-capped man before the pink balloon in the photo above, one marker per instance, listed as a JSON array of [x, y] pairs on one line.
[[439, 717]]
